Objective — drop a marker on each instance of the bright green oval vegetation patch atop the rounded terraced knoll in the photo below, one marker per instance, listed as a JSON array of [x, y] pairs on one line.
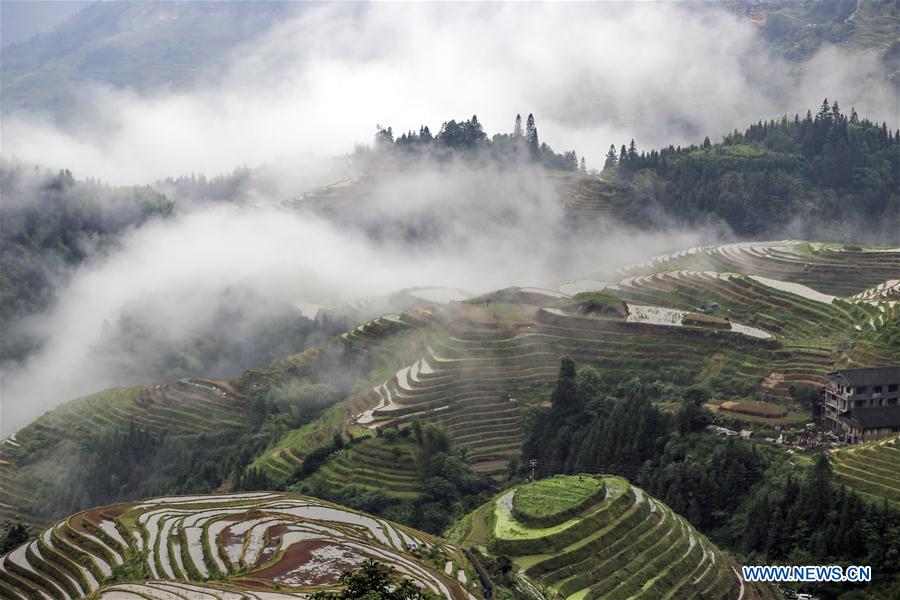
[[551, 501]]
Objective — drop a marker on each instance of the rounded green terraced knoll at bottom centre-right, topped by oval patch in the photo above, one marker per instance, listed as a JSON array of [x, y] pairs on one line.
[[620, 544]]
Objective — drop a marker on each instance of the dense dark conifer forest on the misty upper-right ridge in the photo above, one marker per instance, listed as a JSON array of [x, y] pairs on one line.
[[826, 172]]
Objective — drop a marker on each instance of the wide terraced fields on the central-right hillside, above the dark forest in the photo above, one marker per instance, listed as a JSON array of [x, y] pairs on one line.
[[750, 316]]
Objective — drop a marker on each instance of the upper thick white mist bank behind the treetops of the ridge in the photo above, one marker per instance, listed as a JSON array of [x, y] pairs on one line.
[[593, 75]]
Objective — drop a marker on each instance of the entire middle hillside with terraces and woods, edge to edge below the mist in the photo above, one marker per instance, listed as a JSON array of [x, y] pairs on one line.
[[750, 321]]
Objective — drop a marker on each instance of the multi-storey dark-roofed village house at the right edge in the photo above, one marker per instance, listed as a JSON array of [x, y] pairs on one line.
[[862, 405]]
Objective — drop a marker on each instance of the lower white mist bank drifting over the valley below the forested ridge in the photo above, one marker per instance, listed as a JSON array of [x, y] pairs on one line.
[[476, 228]]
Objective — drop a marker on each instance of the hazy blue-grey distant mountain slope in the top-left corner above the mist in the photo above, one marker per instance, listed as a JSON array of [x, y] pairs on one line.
[[130, 44]]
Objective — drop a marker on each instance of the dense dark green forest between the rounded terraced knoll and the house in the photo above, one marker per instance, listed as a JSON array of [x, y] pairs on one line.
[[749, 498]]
